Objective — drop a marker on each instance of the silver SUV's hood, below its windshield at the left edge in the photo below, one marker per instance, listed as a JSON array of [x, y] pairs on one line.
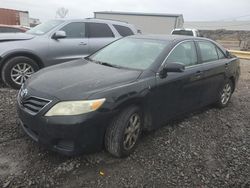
[[15, 36]]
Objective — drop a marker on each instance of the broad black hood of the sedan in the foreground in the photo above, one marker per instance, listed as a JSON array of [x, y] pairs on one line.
[[78, 79]]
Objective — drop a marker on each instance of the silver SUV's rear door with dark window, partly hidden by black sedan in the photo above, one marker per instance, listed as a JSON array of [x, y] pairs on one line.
[[99, 34]]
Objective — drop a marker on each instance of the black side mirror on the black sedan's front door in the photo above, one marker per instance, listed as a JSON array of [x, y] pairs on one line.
[[171, 67]]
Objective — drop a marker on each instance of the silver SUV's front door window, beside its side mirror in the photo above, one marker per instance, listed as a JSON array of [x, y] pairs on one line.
[[74, 30]]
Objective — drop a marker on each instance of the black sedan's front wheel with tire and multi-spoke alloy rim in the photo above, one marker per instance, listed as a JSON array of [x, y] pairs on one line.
[[124, 131]]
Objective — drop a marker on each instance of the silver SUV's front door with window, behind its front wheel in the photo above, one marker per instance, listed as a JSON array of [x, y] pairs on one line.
[[74, 46]]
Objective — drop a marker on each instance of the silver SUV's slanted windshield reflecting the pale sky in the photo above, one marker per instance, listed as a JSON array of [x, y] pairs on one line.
[[44, 27]]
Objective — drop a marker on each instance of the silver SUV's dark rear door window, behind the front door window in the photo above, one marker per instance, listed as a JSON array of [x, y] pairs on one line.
[[99, 30]]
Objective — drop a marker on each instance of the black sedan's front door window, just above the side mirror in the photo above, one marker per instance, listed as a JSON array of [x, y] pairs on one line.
[[184, 53]]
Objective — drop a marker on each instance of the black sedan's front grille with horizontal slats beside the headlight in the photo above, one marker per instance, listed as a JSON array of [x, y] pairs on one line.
[[34, 104]]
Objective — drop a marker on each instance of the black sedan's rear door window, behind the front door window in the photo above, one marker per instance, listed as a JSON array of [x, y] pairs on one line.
[[208, 51]]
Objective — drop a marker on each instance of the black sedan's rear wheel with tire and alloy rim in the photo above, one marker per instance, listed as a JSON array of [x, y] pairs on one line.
[[225, 94]]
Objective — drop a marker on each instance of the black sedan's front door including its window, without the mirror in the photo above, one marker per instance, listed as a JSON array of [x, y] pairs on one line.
[[179, 92]]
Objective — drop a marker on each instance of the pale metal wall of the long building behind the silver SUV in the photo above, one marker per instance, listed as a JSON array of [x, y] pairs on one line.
[[147, 24]]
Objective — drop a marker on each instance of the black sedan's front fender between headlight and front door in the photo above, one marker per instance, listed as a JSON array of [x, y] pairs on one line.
[[135, 93]]
